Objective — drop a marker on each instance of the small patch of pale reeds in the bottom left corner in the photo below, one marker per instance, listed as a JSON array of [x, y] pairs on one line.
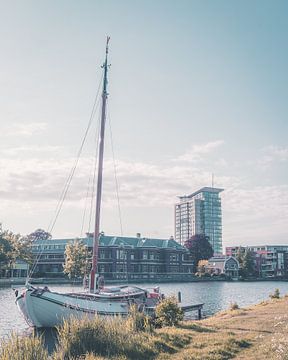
[[24, 348]]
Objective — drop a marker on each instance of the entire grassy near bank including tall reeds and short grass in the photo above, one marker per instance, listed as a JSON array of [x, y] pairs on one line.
[[258, 332]]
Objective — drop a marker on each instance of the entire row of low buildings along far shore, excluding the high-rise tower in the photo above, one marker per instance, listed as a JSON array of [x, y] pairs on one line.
[[137, 259]]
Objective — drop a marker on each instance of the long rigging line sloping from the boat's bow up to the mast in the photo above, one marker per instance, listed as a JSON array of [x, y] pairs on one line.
[[68, 182]]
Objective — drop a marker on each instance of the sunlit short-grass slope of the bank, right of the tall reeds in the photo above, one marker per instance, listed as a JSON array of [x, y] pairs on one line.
[[257, 332]]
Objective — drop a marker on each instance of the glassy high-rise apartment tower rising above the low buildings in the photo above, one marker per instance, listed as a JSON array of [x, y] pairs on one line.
[[200, 213]]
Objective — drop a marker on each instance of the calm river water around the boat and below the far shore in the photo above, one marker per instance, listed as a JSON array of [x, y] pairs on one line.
[[216, 296]]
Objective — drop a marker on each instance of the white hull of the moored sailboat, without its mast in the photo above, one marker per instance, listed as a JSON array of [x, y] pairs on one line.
[[42, 308]]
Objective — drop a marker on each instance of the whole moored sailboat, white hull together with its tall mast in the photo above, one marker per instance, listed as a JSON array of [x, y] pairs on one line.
[[44, 308]]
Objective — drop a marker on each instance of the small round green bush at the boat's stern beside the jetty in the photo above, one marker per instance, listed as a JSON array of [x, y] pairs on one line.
[[168, 313]]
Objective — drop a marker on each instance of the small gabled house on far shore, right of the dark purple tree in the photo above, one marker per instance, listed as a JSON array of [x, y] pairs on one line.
[[226, 265]]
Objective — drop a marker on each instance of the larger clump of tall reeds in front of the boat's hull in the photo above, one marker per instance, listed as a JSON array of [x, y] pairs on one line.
[[103, 337]]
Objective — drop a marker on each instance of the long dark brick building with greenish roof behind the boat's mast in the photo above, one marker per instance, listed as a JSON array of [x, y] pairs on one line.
[[120, 258]]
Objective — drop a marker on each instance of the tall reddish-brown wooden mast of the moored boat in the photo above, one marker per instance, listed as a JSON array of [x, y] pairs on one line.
[[100, 171]]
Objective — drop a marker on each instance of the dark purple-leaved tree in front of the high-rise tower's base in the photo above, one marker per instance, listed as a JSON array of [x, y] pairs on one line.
[[199, 248]]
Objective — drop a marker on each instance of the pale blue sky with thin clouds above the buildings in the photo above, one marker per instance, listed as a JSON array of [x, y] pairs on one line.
[[195, 88]]
